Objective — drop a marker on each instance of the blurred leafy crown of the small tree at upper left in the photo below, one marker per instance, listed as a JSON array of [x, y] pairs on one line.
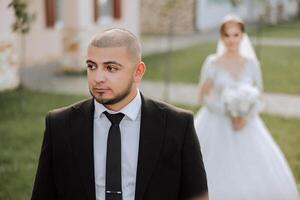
[[23, 19]]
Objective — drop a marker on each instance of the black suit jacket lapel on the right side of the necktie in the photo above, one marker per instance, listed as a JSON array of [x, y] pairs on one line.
[[151, 140]]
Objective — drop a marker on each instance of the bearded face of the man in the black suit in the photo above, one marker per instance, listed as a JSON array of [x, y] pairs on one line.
[[112, 76]]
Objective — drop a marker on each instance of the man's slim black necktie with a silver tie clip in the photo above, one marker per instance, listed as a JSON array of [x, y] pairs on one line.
[[113, 184]]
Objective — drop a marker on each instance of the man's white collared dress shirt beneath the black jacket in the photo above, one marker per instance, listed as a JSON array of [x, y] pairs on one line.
[[130, 131]]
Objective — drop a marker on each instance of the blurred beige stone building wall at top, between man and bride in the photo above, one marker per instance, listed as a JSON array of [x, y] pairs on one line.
[[153, 19]]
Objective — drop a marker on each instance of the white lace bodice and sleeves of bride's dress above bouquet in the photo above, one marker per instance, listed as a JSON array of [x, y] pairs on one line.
[[221, 78]]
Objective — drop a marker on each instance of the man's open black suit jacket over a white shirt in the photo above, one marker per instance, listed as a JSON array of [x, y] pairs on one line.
[[170, 164]]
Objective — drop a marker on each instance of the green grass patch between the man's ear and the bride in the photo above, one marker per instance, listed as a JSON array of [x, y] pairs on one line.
[[183, 66]]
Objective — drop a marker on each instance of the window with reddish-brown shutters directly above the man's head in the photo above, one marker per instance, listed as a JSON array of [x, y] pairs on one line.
[[107, 10]]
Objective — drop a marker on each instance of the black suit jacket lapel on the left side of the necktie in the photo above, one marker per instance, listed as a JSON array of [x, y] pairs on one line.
[[81, 126]]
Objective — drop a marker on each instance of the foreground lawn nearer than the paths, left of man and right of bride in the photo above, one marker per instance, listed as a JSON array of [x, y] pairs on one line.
[[21, 132]]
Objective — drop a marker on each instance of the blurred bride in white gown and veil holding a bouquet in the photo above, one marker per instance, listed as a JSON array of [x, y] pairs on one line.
[[242, 160]]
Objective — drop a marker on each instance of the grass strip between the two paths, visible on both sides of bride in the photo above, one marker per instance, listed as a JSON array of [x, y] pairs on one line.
[[280, 66]]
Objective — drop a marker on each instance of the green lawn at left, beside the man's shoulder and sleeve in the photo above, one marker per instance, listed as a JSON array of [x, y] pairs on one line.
[[21, 130]]
